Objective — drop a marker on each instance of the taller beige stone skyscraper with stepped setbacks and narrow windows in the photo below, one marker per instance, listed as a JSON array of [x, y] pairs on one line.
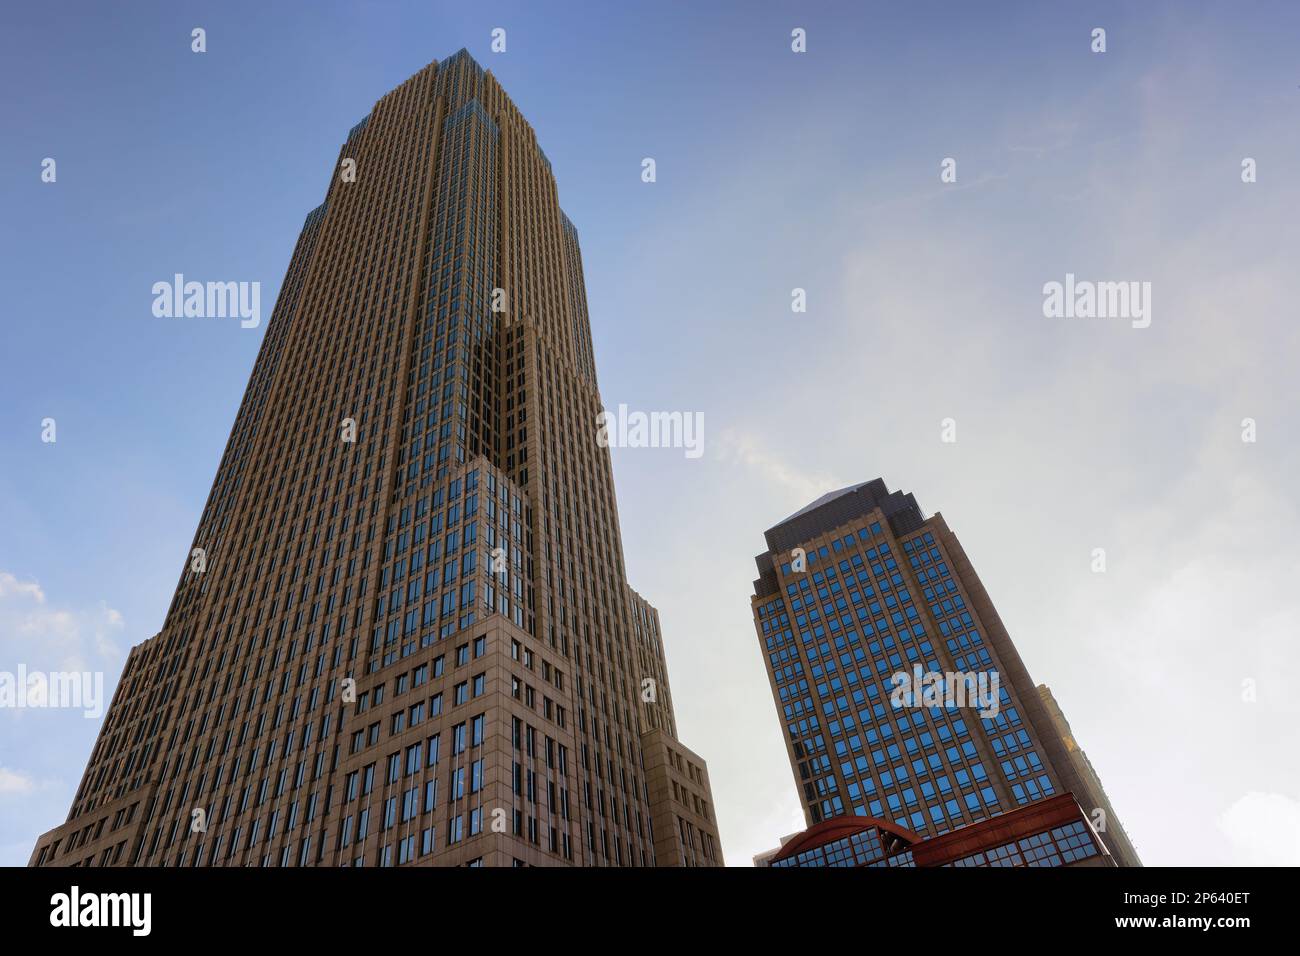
[[404, 633]]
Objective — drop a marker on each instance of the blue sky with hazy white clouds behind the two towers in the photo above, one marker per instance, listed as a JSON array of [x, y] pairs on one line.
[[775, 171]]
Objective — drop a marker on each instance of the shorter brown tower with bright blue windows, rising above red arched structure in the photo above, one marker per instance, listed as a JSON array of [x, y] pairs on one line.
[[900, 693]]
